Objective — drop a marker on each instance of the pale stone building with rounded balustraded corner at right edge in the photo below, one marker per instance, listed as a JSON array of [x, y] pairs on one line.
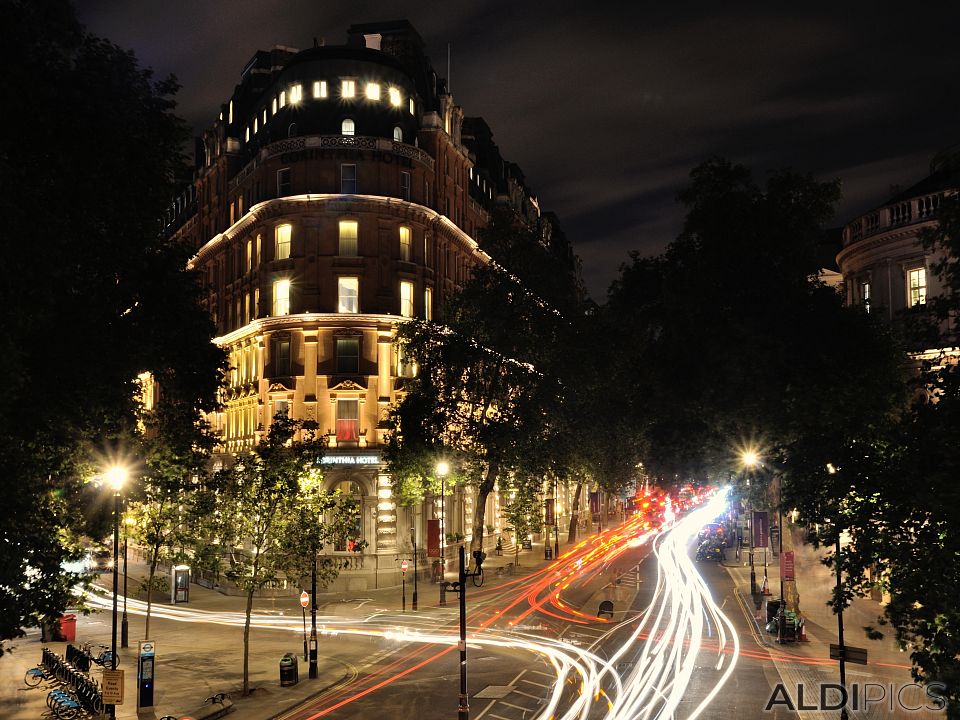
[[884, 266]]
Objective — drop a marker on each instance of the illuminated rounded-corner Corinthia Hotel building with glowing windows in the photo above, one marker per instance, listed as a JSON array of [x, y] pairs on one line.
[[340, 191]]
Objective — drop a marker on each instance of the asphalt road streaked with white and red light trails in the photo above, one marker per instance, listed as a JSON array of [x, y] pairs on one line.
[[680, 642]]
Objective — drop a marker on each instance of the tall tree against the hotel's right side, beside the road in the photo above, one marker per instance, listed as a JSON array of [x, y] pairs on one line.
[[485, 393]]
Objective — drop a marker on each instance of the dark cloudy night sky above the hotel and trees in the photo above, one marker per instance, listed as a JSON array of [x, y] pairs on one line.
[[607, 106]]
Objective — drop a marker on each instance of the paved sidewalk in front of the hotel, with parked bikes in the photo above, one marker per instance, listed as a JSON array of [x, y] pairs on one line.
[[195, 661]]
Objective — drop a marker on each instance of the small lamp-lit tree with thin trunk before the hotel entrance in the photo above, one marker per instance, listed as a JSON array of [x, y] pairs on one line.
[[272, 501]]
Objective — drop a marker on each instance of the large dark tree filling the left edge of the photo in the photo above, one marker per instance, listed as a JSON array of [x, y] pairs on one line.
[[92, 295]]
